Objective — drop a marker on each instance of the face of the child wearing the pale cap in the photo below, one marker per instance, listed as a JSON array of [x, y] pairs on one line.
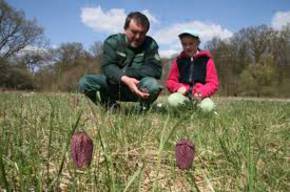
[[189, 45]]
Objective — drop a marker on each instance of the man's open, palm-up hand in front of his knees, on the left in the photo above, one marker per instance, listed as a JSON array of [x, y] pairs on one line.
[[132, 84]]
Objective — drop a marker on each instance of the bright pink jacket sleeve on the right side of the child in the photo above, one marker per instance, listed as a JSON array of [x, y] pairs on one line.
[[211, 81]]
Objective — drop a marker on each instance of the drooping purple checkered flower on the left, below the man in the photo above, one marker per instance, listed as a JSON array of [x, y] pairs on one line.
[[81, 149]]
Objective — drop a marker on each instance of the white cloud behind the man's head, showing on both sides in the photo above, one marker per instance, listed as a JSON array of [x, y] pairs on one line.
[[110, 21]]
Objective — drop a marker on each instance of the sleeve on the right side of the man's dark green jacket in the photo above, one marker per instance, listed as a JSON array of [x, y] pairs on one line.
[[152, 66]]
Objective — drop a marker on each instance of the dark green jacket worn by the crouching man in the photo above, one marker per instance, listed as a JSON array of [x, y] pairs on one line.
[[120, 59]]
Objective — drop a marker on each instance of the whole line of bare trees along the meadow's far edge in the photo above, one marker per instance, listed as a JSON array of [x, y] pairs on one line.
[[255, 61]]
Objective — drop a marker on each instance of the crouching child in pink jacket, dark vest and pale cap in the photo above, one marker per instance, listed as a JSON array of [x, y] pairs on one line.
[[193, 73]]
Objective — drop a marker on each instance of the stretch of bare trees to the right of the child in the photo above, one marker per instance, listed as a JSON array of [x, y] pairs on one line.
[[254, 62]]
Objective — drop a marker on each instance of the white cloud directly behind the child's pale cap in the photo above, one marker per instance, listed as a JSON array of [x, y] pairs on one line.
[[168, 37]]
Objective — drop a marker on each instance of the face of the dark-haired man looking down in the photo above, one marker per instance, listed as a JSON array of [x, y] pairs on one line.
[[135, 33]]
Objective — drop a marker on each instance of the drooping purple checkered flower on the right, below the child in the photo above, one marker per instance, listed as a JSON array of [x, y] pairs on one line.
[[184, 154]]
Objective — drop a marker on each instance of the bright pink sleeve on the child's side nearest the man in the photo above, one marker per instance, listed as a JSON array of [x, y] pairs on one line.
[[172, 82]]
